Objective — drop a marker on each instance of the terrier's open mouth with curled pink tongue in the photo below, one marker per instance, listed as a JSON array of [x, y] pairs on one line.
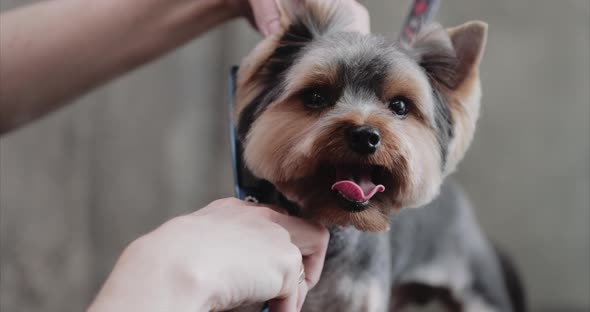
[[356, 185]]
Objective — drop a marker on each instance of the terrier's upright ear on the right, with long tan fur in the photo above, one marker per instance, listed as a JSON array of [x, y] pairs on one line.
[[451, 60]]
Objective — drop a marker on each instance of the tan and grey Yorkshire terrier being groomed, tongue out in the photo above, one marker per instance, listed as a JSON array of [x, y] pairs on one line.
[[352, 130]]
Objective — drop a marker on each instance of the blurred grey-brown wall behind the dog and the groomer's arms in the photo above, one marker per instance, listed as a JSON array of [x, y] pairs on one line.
[[79, 185]]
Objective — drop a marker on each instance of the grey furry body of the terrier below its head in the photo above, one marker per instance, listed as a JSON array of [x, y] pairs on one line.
[[434, 254]]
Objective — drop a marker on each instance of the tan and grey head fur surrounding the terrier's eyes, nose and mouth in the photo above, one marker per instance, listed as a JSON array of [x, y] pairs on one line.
[[301, 150]]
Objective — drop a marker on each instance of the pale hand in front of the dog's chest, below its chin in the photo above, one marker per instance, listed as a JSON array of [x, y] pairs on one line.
[[225, 255]]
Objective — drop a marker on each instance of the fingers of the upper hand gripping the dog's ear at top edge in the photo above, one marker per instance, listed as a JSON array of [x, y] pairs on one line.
[[265, 14]]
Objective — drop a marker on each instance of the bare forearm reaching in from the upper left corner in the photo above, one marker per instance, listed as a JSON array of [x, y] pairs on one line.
[[54, 51]]
